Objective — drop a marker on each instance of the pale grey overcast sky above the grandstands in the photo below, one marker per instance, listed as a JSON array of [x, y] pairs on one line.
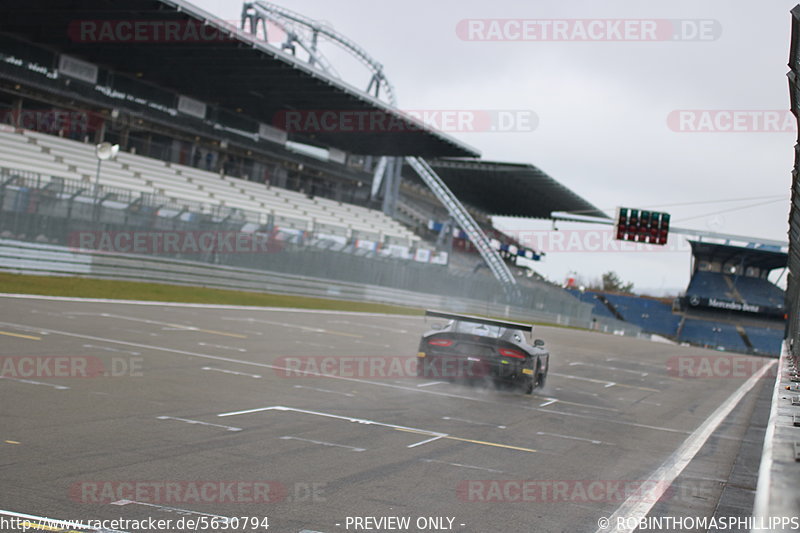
[[602, 110]]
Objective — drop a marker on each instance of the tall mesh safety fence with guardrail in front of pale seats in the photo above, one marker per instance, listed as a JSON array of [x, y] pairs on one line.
[[49, 211]]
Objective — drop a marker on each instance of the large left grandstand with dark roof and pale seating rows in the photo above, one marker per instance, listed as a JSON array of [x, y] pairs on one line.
[[201, 147]]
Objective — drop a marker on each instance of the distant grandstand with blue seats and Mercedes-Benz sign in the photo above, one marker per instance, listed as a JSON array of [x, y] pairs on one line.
[[729, 303]]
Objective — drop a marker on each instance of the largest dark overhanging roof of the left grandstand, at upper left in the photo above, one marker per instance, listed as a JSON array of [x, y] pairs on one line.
[[237, 71]]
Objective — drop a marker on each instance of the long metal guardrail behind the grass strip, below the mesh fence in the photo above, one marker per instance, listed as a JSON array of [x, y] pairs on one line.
[[46, 259]]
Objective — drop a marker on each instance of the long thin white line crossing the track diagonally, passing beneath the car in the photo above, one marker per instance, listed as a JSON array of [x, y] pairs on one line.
[[461, 397]]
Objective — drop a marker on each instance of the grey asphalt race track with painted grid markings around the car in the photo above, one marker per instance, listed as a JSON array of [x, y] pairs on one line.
[[327, 448]]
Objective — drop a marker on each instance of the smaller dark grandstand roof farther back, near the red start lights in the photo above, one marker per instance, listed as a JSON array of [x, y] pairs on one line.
[[510, 189]]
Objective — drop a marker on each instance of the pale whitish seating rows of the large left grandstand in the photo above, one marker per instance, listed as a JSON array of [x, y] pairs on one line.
[[183, 184]]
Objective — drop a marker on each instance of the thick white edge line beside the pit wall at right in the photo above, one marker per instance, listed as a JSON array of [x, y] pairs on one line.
[[635, 507]]
